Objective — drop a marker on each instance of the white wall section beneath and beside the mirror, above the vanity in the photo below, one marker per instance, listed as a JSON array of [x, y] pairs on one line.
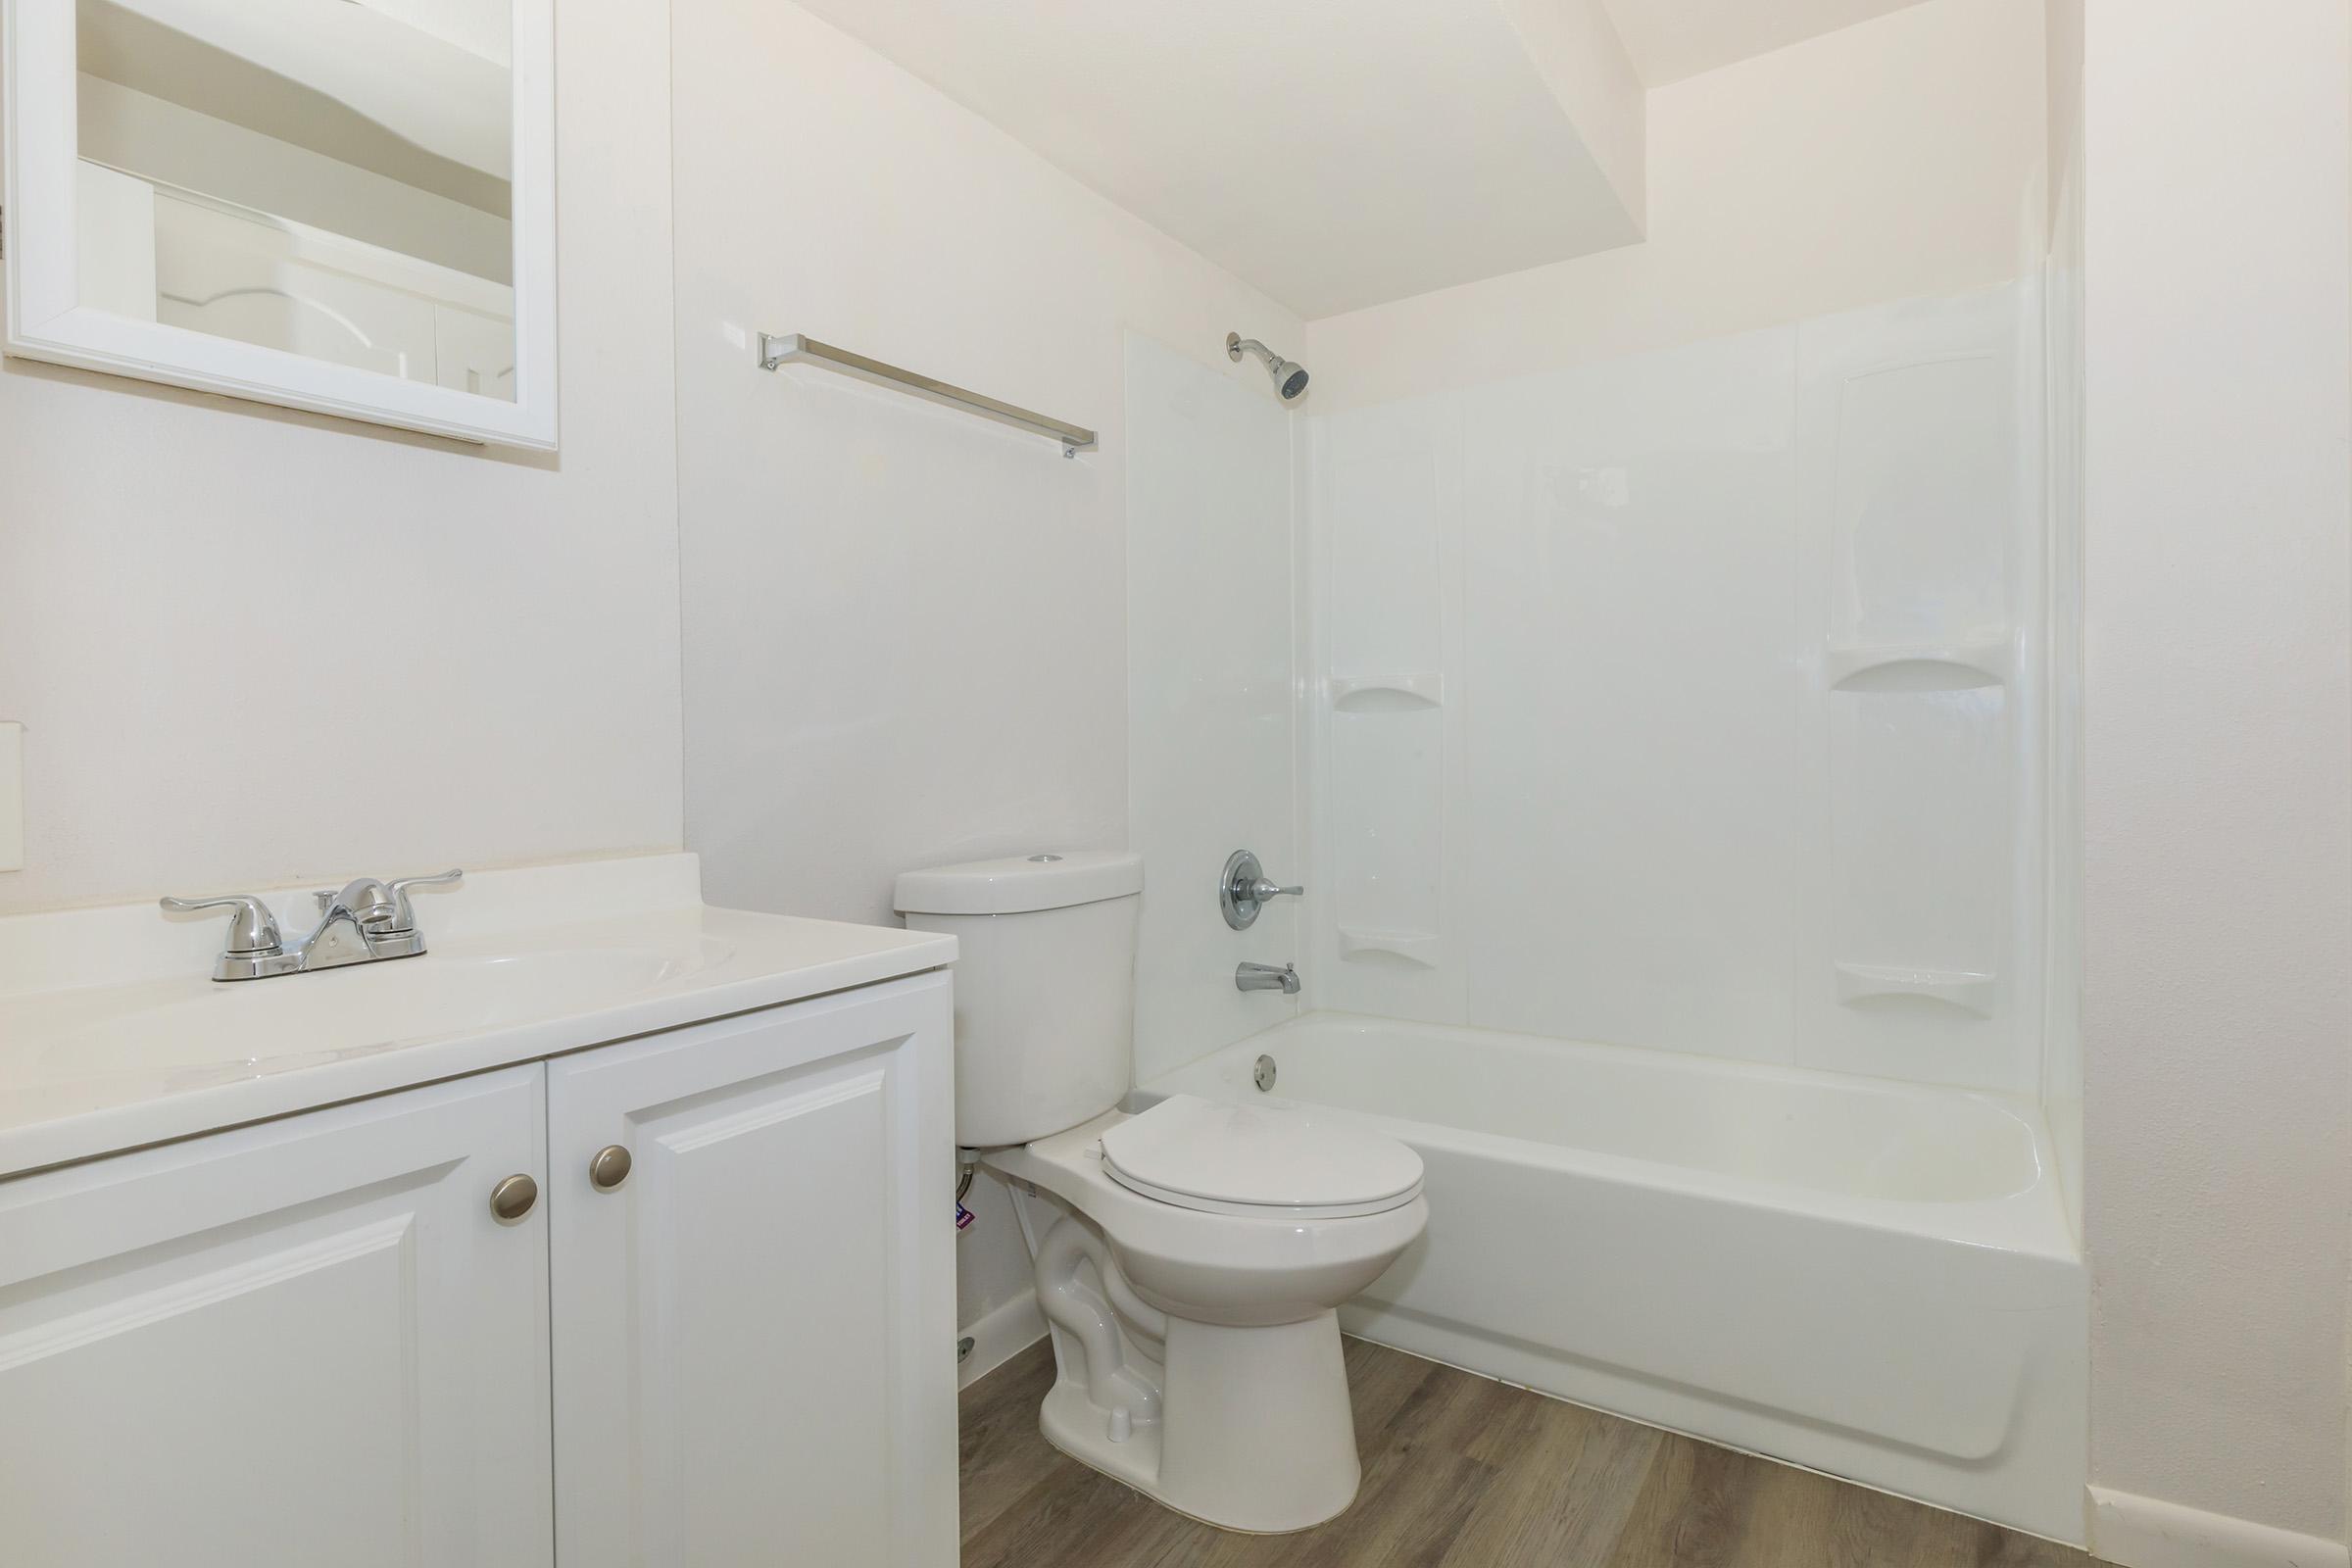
[[253, 645]]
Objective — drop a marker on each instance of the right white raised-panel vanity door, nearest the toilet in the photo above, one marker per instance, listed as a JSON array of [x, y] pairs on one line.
[[756, 1329]]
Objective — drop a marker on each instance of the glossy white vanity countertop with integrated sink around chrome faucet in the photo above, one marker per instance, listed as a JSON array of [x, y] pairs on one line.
[[133, 1043]]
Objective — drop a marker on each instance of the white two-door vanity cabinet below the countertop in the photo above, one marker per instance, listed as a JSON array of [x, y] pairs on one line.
[[312, 1341]]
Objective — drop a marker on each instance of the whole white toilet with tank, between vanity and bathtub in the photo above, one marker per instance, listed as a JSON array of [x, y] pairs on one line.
[[1189, 1257]]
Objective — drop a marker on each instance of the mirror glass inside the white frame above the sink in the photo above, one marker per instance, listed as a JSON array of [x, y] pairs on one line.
[[328, 177]]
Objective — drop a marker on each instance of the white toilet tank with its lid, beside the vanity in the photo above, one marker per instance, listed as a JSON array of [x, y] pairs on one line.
[[1045, 986]]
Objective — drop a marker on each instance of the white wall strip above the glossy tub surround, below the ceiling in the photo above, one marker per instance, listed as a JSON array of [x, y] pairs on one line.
[[1887, 161]]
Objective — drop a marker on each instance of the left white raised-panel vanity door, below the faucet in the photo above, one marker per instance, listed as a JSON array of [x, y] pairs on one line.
[[288, 1346]]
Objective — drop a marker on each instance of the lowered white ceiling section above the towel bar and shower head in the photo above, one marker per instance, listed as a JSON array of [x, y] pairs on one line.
[[1335, 154]]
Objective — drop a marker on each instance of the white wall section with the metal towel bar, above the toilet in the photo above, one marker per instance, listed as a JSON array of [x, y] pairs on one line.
[[904, 629]]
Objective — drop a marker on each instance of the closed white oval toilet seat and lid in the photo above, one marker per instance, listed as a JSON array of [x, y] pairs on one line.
[[1281, 1162]]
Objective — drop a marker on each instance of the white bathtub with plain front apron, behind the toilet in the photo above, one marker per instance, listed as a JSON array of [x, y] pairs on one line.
[[1857, 1275]]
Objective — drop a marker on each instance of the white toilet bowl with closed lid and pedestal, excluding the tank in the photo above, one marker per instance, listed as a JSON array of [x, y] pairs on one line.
[[1196, 1334]]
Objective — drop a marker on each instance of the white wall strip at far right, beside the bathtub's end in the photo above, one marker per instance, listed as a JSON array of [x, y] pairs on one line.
[[2219, 878]]
